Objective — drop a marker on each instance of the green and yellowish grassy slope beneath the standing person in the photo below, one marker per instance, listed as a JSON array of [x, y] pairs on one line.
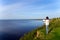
[[54, 32]]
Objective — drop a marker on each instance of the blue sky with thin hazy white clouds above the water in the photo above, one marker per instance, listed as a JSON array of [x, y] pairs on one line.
[[29, 9]]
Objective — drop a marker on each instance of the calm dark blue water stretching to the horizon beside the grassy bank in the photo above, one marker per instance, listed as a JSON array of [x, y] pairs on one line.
[[14, 29]]
